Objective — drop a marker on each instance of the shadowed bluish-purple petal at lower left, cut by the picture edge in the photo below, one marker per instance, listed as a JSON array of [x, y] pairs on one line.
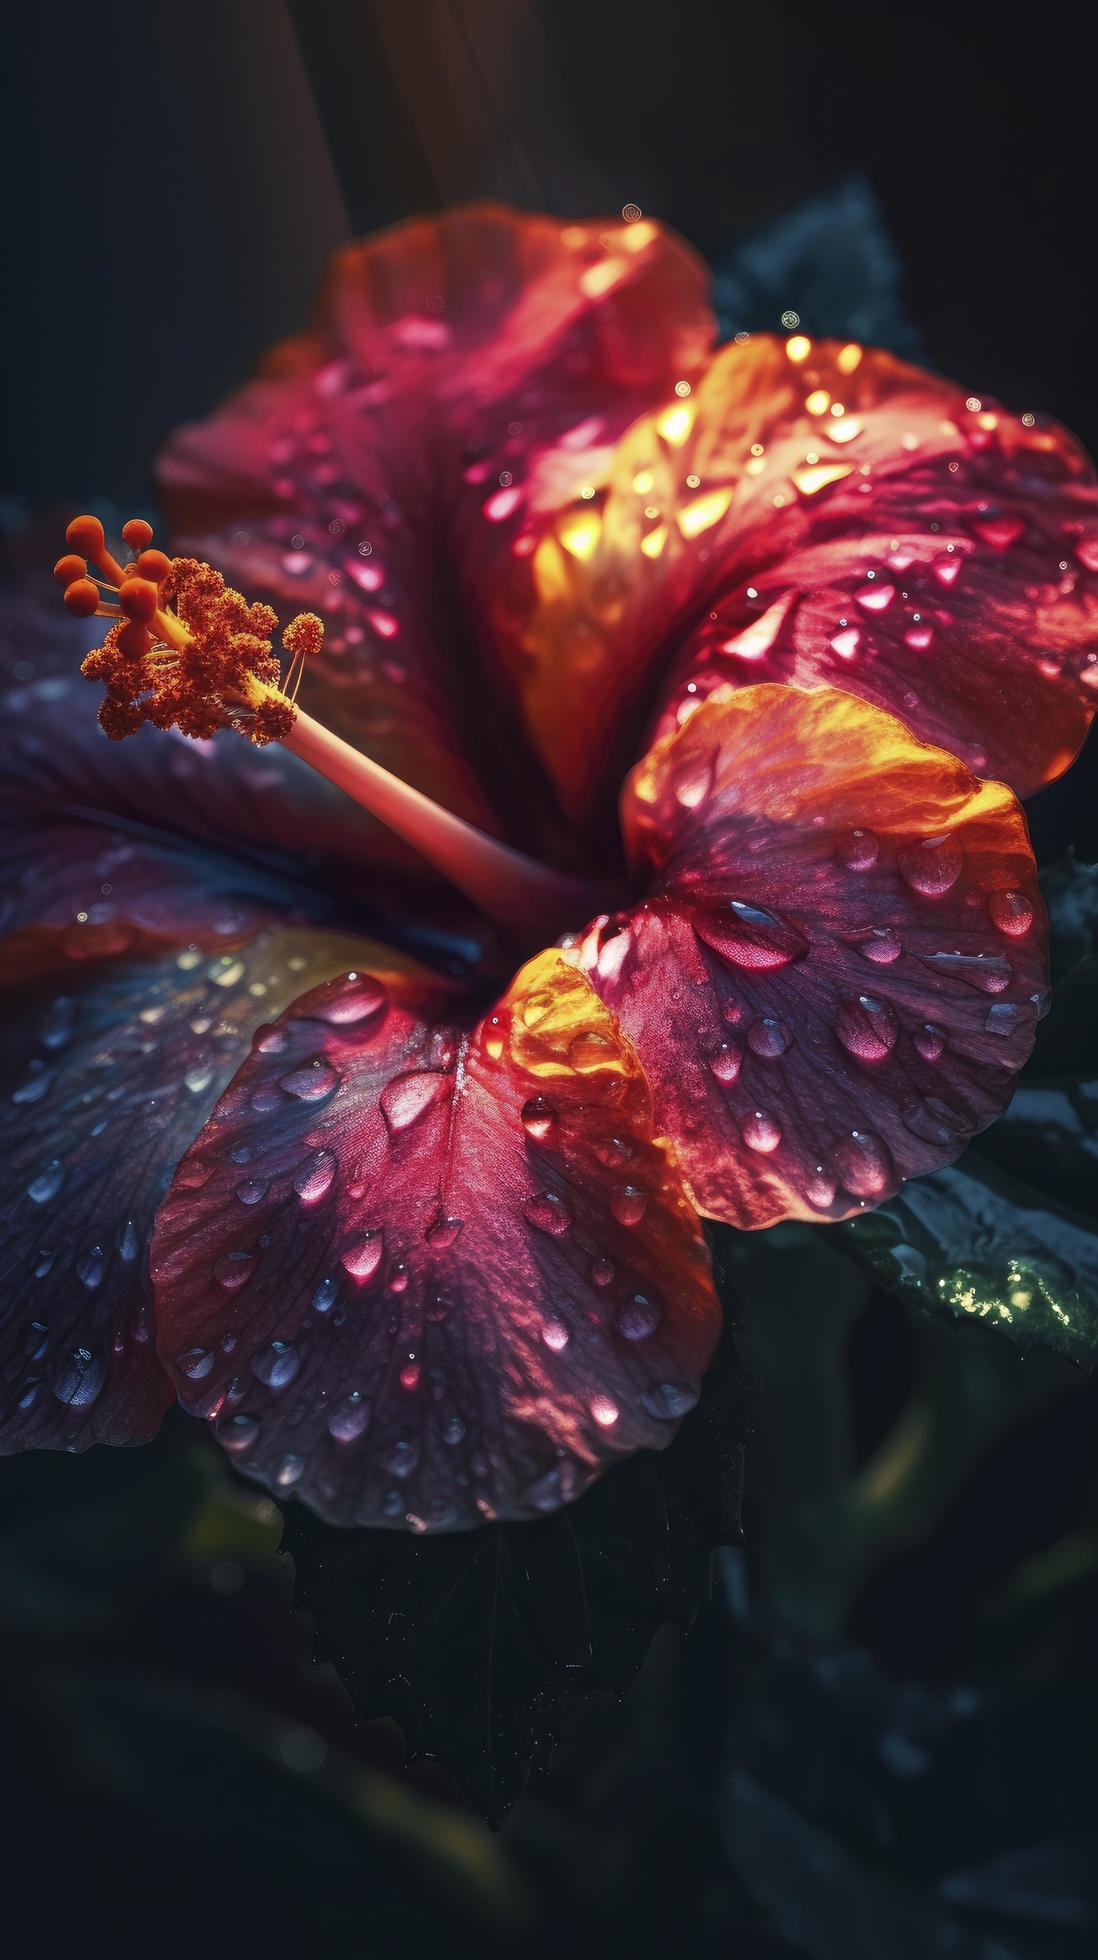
[[105, 1087]]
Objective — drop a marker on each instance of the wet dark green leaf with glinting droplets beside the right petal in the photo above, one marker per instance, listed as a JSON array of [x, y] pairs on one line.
[[1011, 1232]]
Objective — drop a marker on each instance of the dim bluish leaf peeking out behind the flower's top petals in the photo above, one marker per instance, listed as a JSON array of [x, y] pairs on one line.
[[832, 264]]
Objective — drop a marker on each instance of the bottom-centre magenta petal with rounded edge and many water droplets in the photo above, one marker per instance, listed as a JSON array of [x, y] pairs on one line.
[[470, 1277]]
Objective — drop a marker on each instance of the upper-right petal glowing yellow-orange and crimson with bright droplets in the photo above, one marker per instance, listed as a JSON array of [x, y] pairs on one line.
[[934, 558]]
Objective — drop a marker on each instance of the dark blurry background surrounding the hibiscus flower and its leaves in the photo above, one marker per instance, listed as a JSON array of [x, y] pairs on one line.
[[872, 1696]]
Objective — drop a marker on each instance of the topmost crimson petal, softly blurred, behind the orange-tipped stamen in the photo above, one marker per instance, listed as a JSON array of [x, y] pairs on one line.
[[466, 371]]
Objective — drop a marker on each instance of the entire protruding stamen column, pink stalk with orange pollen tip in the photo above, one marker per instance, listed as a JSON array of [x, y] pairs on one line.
[[187, 652]]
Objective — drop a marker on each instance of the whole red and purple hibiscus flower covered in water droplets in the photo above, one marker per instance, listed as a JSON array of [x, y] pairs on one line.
[[646, 691]]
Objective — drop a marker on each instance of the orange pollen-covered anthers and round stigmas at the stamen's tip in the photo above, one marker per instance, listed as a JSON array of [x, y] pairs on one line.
[[183, 648]]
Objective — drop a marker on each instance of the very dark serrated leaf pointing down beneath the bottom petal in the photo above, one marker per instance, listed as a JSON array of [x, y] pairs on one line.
[[481, 1645]]
